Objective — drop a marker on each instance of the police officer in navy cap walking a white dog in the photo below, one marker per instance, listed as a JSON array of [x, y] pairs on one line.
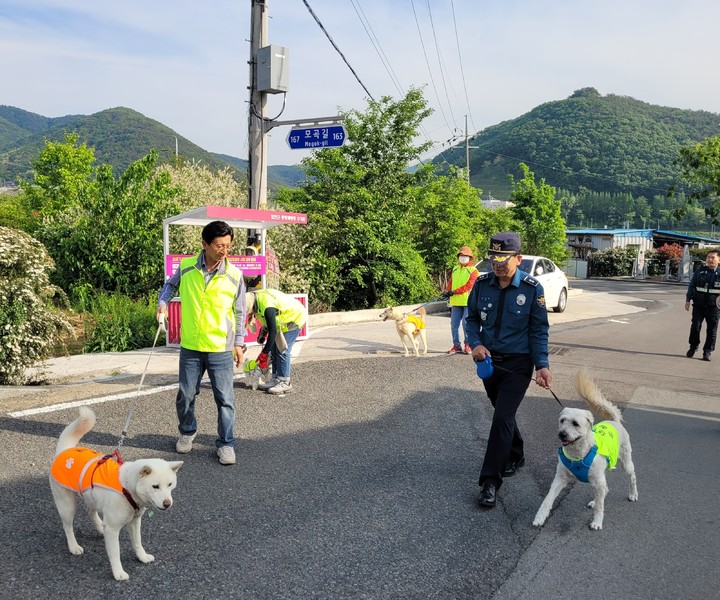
[[507, 320]]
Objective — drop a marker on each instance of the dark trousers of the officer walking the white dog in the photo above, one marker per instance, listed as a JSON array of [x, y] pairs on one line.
[[506, 388]]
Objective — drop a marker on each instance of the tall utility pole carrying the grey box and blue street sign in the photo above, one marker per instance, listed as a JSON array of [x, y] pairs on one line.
[[257, 153]]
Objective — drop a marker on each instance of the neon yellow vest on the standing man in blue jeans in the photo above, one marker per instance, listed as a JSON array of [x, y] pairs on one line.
[[207, 313]]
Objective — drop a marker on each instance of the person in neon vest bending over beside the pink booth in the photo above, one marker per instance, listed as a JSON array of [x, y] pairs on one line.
[[282, 317]]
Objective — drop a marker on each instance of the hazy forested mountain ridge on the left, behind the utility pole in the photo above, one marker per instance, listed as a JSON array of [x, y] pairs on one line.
[[119, 136]]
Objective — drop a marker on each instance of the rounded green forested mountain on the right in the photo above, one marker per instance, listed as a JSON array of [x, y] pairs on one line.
[[606, 143]]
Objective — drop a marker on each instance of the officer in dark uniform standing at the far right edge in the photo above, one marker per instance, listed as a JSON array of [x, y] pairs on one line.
[[704, 291]]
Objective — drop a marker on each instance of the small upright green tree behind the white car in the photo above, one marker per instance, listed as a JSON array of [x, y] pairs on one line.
[[538, 212]]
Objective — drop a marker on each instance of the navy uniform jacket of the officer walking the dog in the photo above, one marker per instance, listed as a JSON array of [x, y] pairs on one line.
[[524, 325]]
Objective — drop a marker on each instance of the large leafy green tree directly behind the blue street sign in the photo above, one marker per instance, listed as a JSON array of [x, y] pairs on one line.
[[360, 248]]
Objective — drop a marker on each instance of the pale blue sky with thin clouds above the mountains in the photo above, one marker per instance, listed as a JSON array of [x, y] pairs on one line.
[[185, 63]]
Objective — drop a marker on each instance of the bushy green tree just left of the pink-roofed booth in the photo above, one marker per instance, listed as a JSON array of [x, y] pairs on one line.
[[111, 239]]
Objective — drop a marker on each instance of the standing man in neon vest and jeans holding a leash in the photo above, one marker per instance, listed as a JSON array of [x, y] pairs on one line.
[[212, 334]]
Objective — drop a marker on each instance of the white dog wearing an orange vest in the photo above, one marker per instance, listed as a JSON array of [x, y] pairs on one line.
[[119, 492]]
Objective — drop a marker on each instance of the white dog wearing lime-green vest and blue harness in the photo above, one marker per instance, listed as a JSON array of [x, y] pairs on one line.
[[588, 451]]
